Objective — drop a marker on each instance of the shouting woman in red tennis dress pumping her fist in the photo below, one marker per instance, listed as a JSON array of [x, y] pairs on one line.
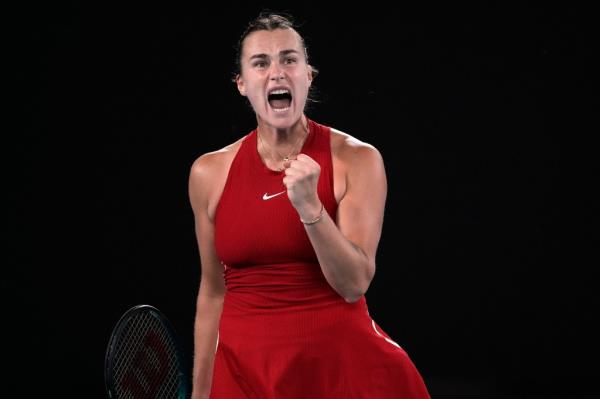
[[288, 219]]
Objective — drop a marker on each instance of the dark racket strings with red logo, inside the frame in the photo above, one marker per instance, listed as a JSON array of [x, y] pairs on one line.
[[146, 363]]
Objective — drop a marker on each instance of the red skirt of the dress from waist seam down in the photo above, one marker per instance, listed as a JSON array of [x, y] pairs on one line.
[[286, 334]]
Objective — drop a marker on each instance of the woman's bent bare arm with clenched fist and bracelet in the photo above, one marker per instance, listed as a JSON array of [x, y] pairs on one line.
[[346, 251]]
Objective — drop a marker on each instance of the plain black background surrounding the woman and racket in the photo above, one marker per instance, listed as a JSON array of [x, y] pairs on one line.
[[486, 265]]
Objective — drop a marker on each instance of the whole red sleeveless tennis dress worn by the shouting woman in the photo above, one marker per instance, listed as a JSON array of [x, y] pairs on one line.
[[284, 332]]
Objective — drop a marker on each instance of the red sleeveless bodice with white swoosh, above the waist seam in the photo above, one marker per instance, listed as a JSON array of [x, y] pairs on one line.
[[252, 231]]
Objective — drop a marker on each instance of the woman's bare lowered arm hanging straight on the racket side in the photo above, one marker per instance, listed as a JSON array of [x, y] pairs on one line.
[[212, 287]]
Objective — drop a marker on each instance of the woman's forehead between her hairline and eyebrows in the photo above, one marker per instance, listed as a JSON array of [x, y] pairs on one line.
[[271, 42]]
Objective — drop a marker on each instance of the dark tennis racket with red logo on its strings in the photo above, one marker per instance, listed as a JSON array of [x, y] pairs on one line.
[[144, 358]]
